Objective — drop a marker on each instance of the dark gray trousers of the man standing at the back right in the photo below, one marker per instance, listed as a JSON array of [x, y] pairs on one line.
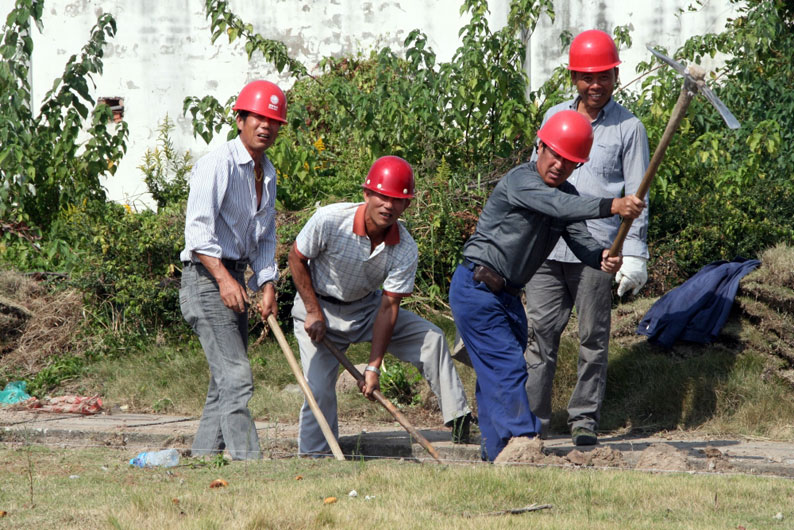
[[551, 294]]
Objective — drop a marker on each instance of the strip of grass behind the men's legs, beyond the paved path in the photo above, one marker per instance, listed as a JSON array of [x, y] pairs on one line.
[[725, 388]]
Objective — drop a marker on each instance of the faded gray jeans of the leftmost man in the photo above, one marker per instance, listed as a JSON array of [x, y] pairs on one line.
[[226, 421]]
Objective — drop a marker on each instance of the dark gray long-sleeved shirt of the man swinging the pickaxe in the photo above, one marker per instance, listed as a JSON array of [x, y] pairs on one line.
[[524, 218]]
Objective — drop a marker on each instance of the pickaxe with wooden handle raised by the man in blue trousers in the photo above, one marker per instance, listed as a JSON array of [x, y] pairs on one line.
[[693, 83]]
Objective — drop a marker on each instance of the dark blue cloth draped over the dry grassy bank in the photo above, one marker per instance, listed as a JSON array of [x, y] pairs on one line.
[[697, 309]]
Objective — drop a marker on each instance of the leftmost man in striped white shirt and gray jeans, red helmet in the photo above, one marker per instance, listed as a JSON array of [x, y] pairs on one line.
[[229, 226]]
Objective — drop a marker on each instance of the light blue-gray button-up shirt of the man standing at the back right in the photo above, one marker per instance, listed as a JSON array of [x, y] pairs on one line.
[[618, 160]]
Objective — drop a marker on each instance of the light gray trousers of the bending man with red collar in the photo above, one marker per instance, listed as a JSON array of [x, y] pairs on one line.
[[414, 340]]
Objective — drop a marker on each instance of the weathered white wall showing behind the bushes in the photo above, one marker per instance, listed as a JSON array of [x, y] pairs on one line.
[[162, 51]]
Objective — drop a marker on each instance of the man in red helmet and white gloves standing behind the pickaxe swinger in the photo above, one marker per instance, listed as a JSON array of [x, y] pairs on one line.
[[618, 160]]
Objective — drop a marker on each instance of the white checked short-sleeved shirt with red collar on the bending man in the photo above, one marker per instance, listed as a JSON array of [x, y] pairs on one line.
[[341, 260]]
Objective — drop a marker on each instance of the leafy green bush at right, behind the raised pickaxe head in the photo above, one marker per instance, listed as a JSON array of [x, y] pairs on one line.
[[721, 193]]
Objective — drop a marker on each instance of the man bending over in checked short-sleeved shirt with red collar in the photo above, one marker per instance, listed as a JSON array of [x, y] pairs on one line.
[[352, 264]]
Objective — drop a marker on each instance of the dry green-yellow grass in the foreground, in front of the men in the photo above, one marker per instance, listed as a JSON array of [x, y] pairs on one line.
[[95, 488]]
